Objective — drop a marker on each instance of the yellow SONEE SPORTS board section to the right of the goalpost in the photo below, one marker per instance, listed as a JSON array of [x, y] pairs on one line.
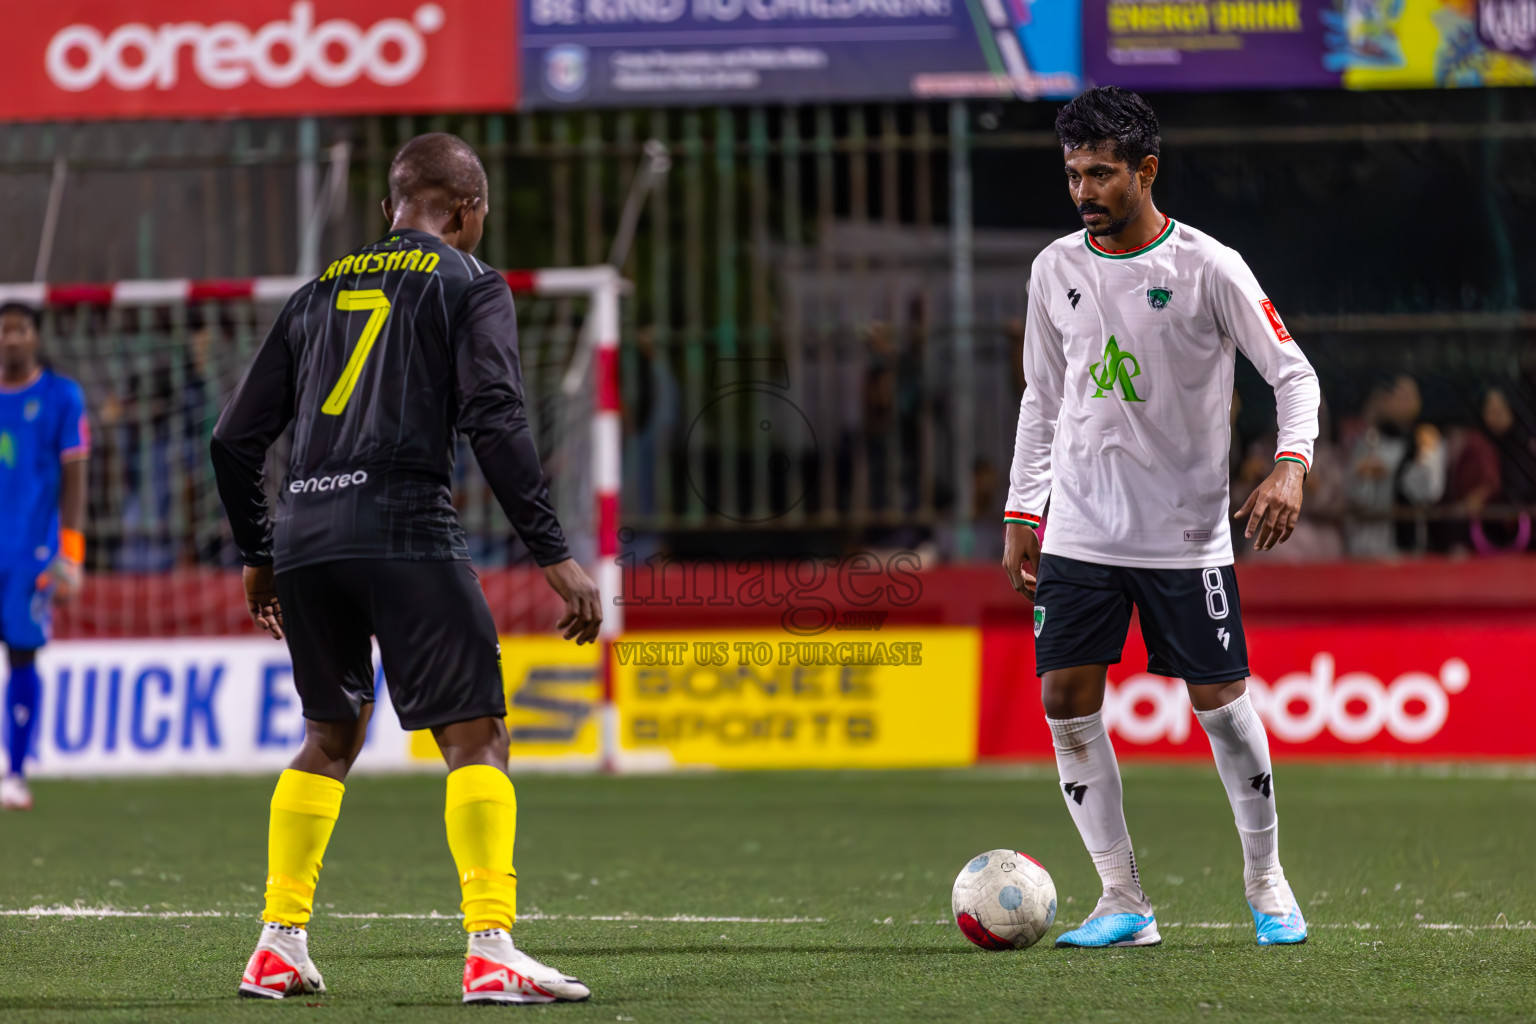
[[775, 699]]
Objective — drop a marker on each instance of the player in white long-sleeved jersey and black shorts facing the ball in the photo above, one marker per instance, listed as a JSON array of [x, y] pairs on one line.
[[1125, 432]]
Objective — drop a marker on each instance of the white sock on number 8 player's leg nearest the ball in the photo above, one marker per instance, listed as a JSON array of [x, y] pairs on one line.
[[1091, 787]]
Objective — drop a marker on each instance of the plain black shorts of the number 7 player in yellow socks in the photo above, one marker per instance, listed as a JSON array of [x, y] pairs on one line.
[[437, 639]]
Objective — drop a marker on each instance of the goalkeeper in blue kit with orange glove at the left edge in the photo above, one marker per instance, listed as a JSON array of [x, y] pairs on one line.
[[45, 443]]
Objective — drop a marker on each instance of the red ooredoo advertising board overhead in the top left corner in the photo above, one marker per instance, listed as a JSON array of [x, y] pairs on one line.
[[148, 59]]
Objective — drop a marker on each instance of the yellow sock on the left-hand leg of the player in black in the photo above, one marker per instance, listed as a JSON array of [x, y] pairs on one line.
[[305, 810]]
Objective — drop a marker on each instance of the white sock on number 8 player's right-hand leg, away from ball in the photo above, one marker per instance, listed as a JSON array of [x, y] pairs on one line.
[[1242, 748]]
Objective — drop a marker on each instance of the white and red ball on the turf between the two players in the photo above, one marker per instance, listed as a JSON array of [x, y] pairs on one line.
[[1004, 900]]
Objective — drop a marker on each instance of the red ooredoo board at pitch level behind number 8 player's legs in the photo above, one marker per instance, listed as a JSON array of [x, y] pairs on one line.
[[1360, 687]]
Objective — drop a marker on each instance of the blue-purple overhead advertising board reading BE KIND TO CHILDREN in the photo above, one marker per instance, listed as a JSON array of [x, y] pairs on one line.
[[658, 53]]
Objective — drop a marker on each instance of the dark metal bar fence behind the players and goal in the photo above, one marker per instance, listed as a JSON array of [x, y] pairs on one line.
[[823, 342]]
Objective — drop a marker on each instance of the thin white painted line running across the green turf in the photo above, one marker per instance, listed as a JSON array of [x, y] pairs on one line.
[[59, 911]]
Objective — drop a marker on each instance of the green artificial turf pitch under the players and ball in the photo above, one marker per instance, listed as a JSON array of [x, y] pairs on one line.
[[1377, 857]]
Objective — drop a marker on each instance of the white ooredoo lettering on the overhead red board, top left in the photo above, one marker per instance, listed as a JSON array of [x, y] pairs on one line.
[[228, 55]]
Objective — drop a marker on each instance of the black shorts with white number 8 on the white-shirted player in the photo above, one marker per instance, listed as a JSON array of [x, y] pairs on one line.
[[1190, 618]]
